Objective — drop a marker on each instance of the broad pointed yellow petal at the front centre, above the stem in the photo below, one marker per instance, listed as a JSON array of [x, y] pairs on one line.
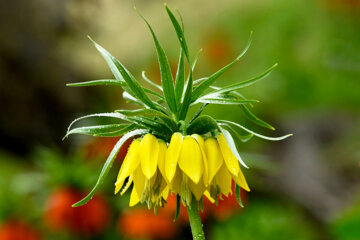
[[190, 161]]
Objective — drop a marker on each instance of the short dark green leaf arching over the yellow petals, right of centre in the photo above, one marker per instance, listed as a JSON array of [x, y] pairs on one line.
[[202, 125]]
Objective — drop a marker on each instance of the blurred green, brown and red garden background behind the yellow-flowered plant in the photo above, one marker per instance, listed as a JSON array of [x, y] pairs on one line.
[[306, 187]]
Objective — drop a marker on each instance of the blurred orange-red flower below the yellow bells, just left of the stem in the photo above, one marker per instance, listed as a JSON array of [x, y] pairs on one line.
[[142, 223]]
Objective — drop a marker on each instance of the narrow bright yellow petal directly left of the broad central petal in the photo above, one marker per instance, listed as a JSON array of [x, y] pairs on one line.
[[172, 155]]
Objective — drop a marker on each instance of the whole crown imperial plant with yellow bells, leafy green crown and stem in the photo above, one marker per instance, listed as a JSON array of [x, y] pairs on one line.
[[173, 153]]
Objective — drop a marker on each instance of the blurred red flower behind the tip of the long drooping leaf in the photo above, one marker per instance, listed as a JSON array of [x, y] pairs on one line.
[[89, 219]]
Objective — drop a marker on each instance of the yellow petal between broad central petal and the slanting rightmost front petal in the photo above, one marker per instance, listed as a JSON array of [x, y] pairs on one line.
[[214, 157]]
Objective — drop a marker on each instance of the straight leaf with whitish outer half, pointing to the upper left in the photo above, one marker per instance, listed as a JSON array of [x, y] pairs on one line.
[[133, 87]]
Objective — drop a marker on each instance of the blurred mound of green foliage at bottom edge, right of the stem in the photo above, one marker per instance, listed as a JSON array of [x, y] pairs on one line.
[[265, 220]]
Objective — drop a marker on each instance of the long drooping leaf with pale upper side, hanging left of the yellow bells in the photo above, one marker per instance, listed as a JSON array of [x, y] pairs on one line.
[[109, 163]]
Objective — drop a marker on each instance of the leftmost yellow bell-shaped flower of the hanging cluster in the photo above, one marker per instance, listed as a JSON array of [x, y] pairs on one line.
[[141, 167]]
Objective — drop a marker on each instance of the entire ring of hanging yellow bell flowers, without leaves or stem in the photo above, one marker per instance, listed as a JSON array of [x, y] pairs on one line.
[[188, 165]]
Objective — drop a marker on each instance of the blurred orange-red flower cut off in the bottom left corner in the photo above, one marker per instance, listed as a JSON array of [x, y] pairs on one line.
[[18, 230]]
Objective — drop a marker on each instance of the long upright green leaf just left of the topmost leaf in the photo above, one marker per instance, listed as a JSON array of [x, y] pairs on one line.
[[165, 71]]
